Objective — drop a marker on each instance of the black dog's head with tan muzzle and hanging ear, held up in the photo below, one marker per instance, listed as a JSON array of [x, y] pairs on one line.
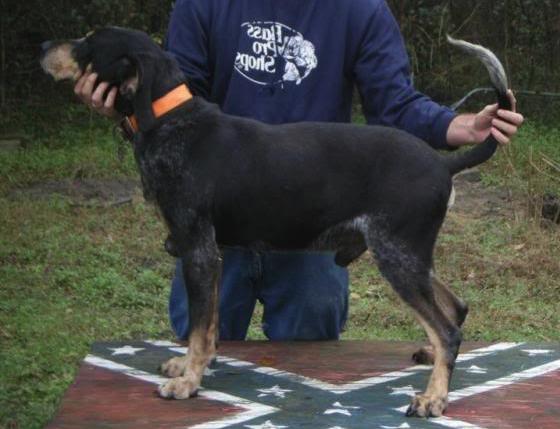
[[125, 58]]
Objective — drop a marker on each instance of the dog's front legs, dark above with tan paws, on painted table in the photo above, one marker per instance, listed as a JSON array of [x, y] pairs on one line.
[[201, 271]]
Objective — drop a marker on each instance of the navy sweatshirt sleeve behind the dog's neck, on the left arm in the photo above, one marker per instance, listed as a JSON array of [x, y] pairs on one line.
[[187, 42]]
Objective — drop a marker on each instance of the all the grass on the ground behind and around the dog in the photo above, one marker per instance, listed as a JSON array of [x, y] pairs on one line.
[[72, 274]]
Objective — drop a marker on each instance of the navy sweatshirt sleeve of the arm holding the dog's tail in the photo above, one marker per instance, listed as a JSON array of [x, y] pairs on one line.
[[382, 73]]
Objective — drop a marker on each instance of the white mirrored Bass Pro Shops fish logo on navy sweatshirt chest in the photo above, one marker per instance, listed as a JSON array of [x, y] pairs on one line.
[[272, 53]]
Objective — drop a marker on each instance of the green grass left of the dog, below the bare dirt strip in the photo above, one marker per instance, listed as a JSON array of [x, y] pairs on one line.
[[68, 278]]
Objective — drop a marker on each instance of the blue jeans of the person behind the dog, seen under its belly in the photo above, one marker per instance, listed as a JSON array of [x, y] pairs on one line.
[[304, 295]]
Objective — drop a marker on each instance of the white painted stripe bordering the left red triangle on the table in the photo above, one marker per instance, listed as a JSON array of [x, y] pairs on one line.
[[254, 409]]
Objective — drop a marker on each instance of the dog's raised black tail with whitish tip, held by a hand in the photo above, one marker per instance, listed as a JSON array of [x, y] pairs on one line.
[[483, 151]]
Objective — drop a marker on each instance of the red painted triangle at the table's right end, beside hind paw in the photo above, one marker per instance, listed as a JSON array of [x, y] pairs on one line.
[[530, 404]]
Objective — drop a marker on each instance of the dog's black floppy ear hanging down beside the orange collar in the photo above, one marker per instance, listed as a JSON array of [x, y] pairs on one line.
[[142, 83]]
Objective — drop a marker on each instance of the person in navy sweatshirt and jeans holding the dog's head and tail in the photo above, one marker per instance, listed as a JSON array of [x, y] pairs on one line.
[[282, 61]]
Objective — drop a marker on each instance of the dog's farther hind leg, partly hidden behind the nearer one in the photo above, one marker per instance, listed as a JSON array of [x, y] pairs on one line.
[[454, 308]]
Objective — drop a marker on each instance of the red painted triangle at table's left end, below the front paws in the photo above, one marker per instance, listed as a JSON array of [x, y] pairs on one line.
[[101, 399]]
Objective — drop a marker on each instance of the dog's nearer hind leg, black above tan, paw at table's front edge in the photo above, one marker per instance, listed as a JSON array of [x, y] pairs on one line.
[[406, 265]]
